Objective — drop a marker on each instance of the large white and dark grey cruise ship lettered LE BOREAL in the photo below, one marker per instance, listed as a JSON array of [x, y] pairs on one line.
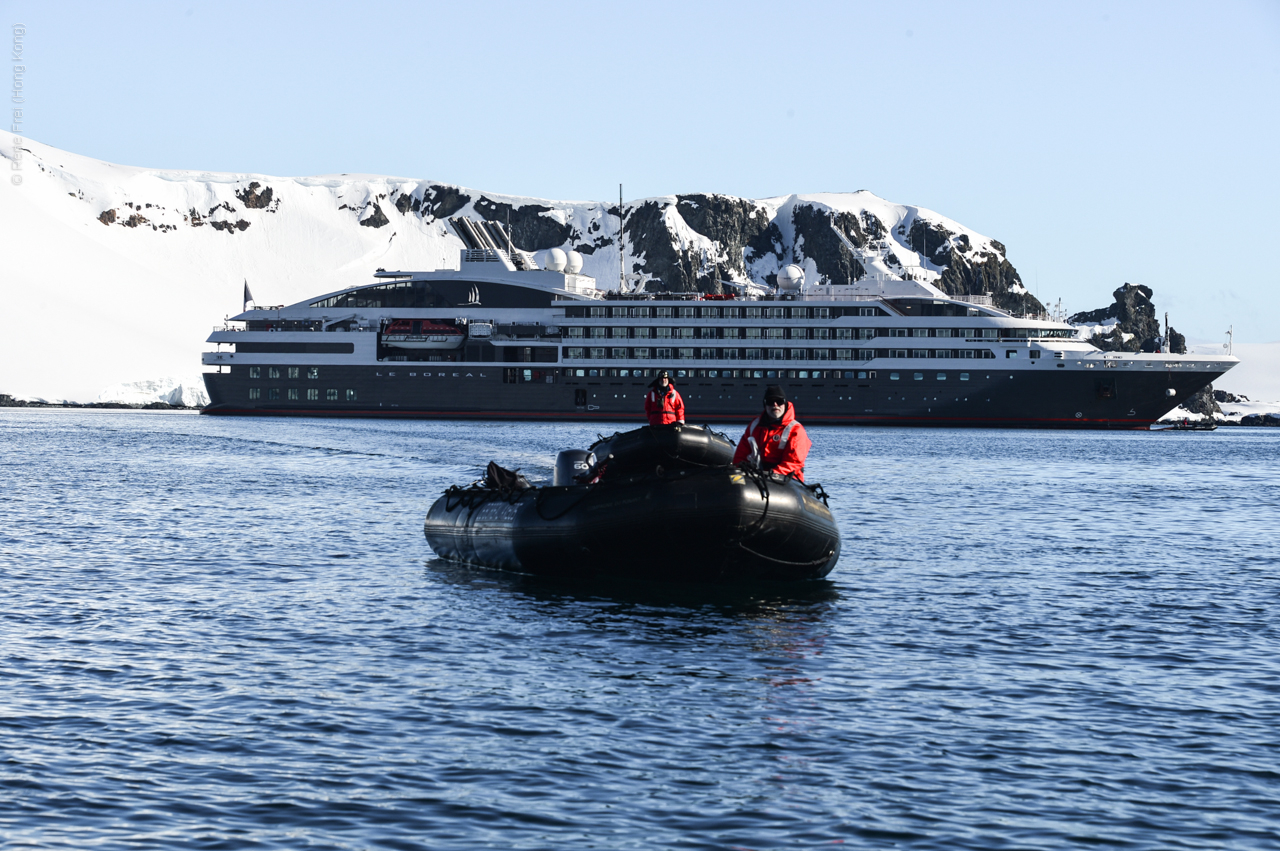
[[502, 338]]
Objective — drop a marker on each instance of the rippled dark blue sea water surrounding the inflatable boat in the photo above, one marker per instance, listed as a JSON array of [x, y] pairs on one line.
[[231, 634]]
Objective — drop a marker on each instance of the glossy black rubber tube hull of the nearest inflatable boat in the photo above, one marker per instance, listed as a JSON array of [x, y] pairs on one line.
[[716, 524]]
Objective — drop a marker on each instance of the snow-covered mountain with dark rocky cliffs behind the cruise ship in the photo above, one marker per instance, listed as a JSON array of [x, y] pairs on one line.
[[117, 273]]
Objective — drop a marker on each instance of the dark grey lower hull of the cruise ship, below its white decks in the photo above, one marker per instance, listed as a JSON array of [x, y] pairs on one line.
[[1049, 397]]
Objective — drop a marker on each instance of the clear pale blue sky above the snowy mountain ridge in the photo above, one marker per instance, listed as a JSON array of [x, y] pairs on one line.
[[1101, 143]]
